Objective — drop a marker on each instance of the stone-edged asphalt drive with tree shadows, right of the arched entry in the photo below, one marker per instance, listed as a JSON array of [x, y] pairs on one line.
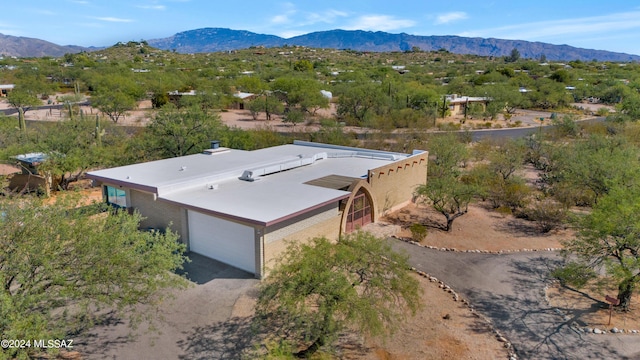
[[509, 289]]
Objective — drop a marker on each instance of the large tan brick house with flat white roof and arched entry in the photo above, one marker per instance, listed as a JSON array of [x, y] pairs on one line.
[[241, 207]]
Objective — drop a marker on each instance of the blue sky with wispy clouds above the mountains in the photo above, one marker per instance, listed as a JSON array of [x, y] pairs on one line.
[[612, 25]]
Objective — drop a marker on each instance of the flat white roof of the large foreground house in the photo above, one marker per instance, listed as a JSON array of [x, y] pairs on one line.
[[213, 184]]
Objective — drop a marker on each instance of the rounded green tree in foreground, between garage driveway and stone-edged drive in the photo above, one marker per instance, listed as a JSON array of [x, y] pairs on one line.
[[319, 289]]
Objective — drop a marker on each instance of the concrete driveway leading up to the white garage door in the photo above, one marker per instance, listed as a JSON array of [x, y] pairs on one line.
[[197, 324]]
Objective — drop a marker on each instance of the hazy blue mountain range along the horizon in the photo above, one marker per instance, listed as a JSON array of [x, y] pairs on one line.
[[222, 39]]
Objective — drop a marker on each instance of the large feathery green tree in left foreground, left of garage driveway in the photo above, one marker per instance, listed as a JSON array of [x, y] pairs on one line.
[[60, 263]]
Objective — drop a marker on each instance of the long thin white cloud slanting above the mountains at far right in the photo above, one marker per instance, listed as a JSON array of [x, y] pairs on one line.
[[553, 28]]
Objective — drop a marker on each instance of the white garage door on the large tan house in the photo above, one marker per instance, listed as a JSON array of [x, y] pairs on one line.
[[222, 240]]
